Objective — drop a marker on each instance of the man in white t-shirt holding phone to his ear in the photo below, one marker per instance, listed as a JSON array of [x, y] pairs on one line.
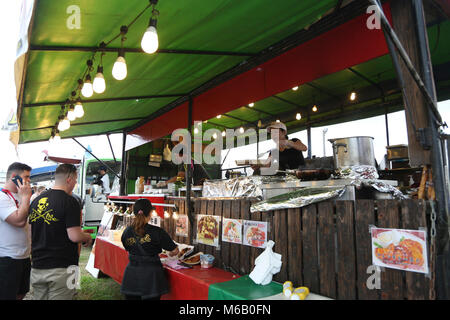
[[14, 242]]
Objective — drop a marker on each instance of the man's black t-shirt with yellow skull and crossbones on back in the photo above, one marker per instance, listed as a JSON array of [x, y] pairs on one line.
[[51, 213]]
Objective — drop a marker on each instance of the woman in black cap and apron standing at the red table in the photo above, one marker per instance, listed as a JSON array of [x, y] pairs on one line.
[[144, 277]]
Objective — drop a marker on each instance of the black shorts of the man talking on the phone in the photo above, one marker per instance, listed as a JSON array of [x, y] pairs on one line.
[[14, 277]]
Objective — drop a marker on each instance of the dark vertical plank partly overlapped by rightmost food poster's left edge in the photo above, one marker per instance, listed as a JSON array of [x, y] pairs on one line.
[[364, 217]]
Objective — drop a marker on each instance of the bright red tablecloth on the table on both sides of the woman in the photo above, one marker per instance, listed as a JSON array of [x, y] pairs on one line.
[[185, 284]]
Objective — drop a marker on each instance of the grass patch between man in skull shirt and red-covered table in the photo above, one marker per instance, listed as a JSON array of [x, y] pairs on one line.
[[103, 288]]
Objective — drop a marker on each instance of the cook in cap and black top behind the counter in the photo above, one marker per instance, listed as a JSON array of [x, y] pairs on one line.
[[290, 151]]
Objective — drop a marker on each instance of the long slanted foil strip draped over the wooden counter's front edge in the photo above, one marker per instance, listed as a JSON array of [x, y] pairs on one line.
[[298, 199]]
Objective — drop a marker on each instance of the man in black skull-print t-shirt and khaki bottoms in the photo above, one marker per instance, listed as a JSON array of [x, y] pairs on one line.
[[55, 224]]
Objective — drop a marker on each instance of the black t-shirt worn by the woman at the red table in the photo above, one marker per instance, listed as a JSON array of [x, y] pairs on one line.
[[154, 240]]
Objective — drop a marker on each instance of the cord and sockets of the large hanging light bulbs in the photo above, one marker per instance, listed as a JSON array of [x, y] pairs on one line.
[[77, 91]]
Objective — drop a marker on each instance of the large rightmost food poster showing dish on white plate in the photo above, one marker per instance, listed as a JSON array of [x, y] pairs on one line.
[[400, 249]]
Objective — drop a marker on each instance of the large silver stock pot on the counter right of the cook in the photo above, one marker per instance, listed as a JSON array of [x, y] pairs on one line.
[[353, 151]]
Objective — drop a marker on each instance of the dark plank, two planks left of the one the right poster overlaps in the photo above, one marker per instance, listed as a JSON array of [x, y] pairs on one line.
[[326, 234]]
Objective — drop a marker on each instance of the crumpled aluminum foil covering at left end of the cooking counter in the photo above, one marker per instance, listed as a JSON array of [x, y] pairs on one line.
[[241, 187]]
